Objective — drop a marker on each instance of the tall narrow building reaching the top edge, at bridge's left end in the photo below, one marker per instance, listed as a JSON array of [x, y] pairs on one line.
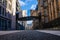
[[19, 24]]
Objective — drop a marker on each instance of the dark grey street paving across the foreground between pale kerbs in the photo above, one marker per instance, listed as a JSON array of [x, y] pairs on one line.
[[29, 35]]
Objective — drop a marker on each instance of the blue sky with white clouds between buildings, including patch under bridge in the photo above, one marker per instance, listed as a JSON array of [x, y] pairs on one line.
[[28, 5]]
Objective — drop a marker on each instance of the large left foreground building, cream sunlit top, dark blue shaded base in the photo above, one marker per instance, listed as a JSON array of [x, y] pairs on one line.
[[7, 14]]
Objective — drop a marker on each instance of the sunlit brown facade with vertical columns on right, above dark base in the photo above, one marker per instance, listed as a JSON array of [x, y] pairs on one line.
[[50, 10]]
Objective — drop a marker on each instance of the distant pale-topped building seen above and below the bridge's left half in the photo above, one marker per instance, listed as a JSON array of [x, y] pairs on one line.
[[21, 25]]
